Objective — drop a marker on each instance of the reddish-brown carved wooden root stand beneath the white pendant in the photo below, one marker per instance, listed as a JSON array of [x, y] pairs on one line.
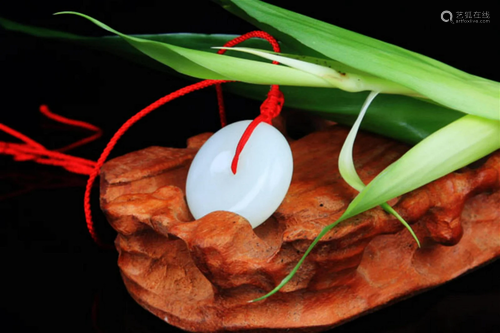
[[199, 275]]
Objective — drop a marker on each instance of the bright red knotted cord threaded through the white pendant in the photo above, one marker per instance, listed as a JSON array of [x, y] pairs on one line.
[[32, 150]]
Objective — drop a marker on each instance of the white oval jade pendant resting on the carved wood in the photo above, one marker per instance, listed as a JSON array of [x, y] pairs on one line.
[[260, 184]]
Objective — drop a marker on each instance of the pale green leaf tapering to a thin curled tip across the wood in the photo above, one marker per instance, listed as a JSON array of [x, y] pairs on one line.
[[477, 137]]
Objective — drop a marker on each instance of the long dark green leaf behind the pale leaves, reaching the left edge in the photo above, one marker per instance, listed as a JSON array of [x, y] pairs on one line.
[[402, 118]]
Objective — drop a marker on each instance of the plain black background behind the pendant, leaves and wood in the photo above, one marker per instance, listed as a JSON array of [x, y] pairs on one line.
[[53, 277]]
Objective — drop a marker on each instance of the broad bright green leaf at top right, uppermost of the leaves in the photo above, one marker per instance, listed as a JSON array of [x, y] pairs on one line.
[[431, 78]]
